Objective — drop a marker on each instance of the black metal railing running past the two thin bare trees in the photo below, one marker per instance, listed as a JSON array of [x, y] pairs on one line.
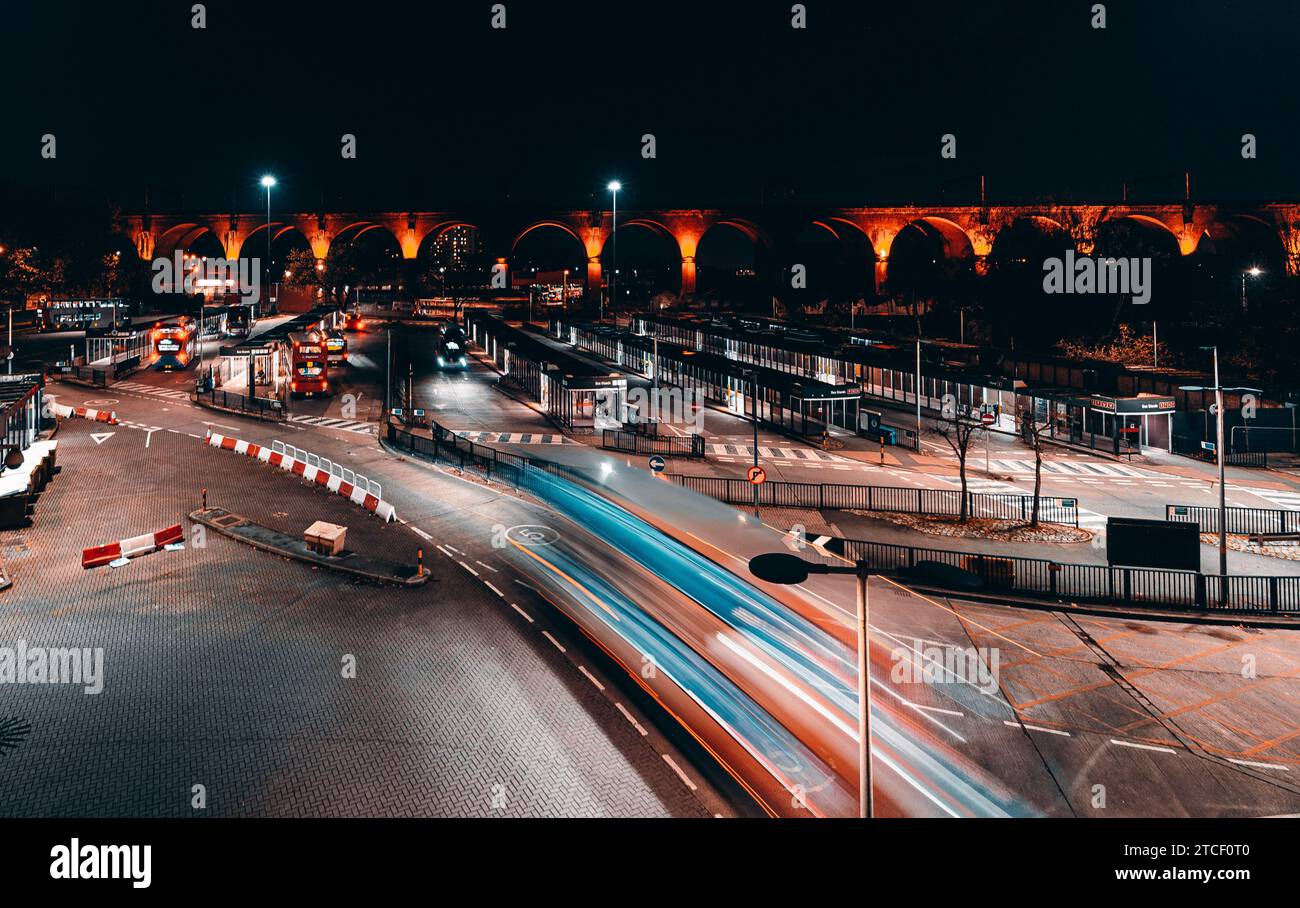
[[834, 496]]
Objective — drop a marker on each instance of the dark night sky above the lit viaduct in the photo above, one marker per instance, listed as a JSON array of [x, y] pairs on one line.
[[447, 110]]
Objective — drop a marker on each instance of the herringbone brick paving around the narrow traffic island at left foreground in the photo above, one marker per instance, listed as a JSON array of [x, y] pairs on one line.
[[223, 668]]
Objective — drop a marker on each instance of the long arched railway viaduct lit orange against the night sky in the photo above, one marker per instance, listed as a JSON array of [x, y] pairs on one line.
[[964, 234]]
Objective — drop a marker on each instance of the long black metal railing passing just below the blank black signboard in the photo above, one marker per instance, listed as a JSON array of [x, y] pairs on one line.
[[1038, 578]]
